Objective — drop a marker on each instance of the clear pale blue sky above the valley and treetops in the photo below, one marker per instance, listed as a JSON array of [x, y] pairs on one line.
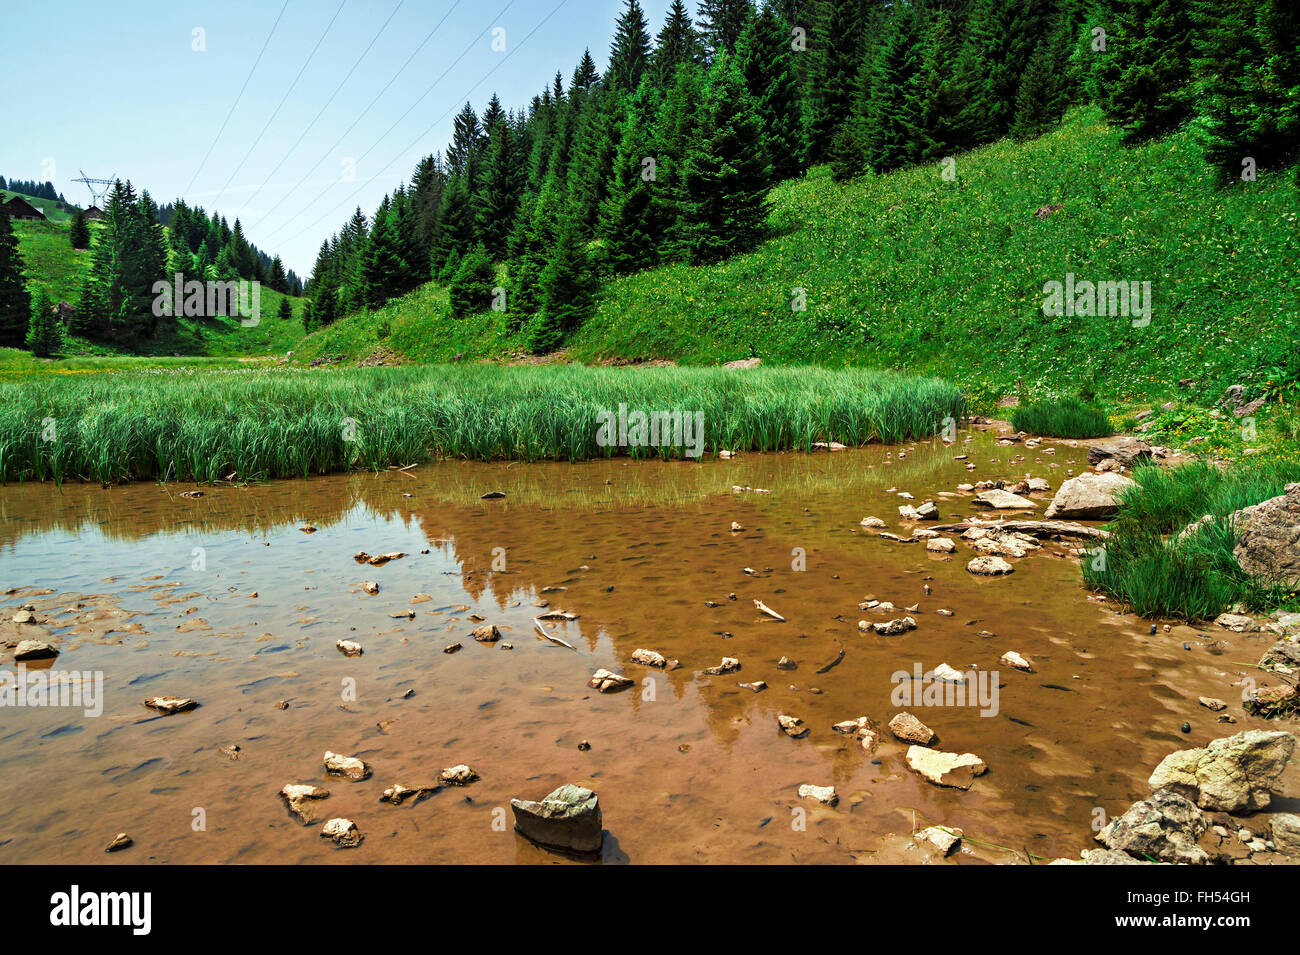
[[122, 89]]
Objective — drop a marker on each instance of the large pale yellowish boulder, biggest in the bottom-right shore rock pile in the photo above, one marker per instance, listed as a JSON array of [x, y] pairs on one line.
[[1230, 775]]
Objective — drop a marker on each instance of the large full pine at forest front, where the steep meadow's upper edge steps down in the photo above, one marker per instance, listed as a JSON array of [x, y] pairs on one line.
[[727, 175]]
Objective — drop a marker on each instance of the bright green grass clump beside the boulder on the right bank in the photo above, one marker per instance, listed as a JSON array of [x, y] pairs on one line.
[[1155, 568]]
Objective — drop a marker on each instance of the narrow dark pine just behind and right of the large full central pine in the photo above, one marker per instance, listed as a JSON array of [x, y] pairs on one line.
[[768, 62]]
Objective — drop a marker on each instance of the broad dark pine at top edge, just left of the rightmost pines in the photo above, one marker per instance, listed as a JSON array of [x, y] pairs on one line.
[[1150, 67]]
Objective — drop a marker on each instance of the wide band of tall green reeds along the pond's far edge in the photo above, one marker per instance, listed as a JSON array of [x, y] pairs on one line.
[[263, 424]]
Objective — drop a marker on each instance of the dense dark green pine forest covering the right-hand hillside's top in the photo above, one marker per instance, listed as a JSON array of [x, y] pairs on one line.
[[670, 154]]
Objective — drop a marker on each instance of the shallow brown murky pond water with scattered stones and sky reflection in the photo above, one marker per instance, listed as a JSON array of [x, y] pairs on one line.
[[224, 600]]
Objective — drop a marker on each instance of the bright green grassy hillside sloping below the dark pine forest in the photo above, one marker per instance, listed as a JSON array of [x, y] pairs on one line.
[[908, 271]]
